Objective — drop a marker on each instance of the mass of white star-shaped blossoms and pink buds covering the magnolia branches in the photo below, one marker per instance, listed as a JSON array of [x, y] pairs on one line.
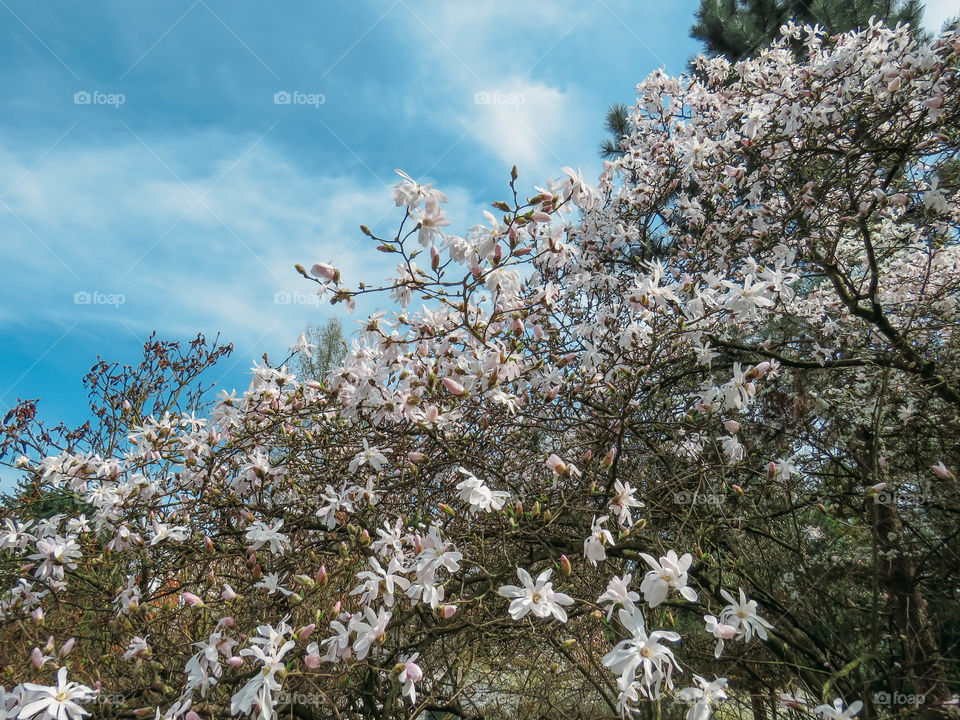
[[538, 314]]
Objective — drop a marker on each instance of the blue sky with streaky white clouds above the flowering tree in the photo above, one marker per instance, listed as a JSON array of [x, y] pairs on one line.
[[143, 155]]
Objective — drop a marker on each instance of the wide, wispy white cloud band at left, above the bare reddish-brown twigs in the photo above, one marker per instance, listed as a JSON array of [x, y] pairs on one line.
[[117, 221]]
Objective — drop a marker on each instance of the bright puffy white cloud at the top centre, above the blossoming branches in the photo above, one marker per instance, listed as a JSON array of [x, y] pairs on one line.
[[488, 66]]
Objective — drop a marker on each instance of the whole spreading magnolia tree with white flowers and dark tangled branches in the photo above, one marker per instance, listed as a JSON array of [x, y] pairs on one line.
[[562, 480]]
